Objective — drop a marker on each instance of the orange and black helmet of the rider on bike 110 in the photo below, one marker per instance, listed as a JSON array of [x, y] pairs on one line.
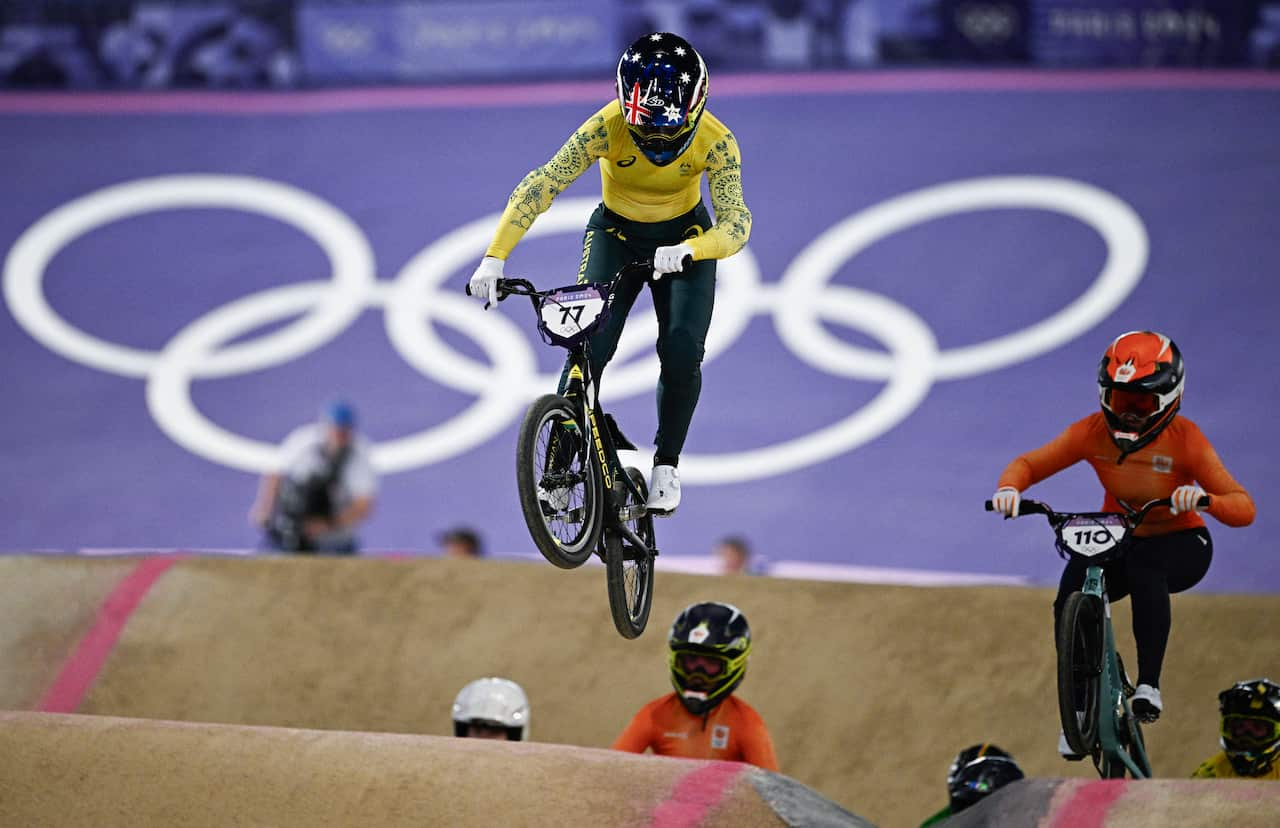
[[1141, 388]]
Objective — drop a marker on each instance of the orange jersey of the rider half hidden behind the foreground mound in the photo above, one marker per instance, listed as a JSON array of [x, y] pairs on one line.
[[733, 731]]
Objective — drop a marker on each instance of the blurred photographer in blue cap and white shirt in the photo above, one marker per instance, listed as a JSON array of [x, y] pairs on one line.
[[322, 490]]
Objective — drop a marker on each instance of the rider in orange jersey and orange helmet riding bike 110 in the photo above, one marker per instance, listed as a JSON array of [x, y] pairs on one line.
[[1141, 451]]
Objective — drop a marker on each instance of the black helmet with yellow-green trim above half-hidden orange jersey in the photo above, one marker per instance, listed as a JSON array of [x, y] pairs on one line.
[[708, 647]]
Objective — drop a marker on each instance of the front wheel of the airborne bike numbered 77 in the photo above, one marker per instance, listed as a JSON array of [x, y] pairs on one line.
[[566, 536]]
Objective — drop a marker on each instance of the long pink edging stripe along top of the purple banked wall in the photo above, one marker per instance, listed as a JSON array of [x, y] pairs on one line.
[[458, 97]]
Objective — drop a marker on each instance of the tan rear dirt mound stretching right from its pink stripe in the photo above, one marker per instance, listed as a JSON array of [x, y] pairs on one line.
[[868, 690]]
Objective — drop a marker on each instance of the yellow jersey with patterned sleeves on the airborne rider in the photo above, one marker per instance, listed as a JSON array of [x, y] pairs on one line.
[[636, 189]]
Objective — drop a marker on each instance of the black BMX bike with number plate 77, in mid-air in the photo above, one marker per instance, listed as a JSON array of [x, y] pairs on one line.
[[577, 497]]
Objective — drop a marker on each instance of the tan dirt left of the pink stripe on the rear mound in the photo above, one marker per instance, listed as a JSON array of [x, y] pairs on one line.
[[47, 605]]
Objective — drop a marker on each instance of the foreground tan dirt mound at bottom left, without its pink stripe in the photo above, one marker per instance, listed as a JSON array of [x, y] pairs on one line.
[[99, 772]]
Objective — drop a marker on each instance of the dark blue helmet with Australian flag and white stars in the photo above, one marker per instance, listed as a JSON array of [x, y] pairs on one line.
[[662, 89]]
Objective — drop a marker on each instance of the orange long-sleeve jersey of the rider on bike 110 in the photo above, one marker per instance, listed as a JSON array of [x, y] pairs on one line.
[[1181, 456]]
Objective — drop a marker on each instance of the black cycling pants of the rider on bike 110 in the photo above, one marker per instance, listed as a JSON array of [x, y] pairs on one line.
[[1153, 569]]
